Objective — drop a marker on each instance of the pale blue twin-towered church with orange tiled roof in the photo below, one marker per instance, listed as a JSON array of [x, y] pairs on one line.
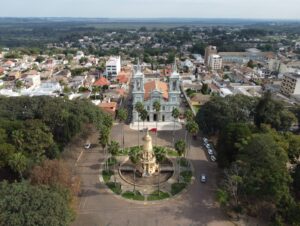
[[167, 94]]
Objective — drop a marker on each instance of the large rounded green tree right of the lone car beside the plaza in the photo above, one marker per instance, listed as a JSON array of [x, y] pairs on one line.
[[263, 164]]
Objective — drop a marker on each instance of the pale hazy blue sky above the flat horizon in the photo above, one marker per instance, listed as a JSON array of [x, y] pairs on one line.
[[247, 9]]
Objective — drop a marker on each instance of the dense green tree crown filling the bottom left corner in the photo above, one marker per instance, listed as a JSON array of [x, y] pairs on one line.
[[25, 204]]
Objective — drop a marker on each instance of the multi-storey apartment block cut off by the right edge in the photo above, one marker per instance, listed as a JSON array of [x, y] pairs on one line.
[[290, 84]]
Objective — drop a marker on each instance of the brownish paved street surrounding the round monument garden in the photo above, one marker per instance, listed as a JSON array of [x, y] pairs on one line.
[[197, 206]]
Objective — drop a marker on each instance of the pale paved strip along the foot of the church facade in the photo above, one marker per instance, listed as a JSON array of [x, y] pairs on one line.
[[166, 126]]
